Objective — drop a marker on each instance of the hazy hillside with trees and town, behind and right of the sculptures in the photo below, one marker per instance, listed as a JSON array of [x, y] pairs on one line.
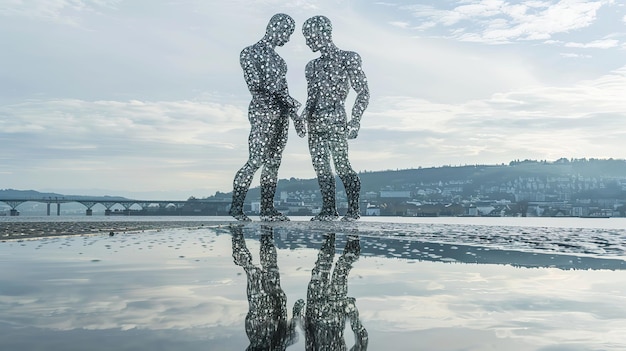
[[518, 193]]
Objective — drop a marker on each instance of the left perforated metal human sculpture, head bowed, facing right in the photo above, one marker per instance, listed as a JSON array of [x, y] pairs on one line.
[[269, 111]]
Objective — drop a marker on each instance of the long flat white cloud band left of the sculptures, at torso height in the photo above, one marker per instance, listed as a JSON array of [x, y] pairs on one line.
[[175, 122]]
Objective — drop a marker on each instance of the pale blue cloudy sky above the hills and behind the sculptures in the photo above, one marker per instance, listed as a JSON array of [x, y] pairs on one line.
[[146, 98]]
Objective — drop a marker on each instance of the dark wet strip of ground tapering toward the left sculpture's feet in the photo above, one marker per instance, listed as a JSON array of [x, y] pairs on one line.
[[33, 229]]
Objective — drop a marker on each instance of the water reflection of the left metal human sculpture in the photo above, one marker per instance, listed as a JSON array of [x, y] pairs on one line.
[[267, 325]]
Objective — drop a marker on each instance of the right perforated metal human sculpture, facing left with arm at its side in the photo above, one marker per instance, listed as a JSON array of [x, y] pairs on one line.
[[329, 78]]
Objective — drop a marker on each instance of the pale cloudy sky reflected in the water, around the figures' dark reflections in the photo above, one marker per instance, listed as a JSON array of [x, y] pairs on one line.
[[181, 289]]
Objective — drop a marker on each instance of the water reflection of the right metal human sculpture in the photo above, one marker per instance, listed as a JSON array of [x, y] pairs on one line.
[[327, 303]]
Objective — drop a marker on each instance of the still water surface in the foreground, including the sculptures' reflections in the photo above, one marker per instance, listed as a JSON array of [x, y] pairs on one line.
[[427, 283]]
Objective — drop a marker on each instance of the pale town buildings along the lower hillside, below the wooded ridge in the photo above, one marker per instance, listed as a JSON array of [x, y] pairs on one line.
[[532, 197]]
